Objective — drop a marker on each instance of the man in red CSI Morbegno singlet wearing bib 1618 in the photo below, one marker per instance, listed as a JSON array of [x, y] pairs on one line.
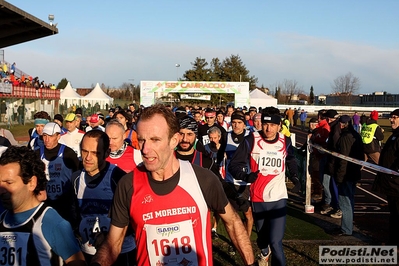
[[168, 195]]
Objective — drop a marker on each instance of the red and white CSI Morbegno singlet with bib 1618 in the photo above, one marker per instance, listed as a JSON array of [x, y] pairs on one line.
[[172, 229]]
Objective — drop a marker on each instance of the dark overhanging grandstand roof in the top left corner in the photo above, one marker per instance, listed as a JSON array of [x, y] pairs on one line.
[[17, 26]]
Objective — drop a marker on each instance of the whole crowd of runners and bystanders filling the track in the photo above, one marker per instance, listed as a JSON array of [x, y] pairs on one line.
[[148, 186]]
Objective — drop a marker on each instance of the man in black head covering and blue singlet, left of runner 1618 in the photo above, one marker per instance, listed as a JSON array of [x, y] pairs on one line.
[[94, 188]]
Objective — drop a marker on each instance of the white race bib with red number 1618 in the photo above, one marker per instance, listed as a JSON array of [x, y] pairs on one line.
[[171, 244]]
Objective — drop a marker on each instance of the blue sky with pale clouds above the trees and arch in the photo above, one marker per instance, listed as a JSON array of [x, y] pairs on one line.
[[311, 42]]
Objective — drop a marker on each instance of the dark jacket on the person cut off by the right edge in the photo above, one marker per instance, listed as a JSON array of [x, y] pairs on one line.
[[389, 158]]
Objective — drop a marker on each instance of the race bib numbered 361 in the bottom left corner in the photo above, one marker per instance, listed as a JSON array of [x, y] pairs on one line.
[[13, 248]]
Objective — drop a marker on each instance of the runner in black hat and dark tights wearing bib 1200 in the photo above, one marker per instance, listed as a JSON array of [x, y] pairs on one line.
[[267, 152]]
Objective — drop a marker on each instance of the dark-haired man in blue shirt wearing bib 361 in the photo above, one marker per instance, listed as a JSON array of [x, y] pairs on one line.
[[39, 235]]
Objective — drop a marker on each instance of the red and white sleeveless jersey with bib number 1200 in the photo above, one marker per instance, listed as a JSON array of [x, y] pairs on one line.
[[269, 159]]
